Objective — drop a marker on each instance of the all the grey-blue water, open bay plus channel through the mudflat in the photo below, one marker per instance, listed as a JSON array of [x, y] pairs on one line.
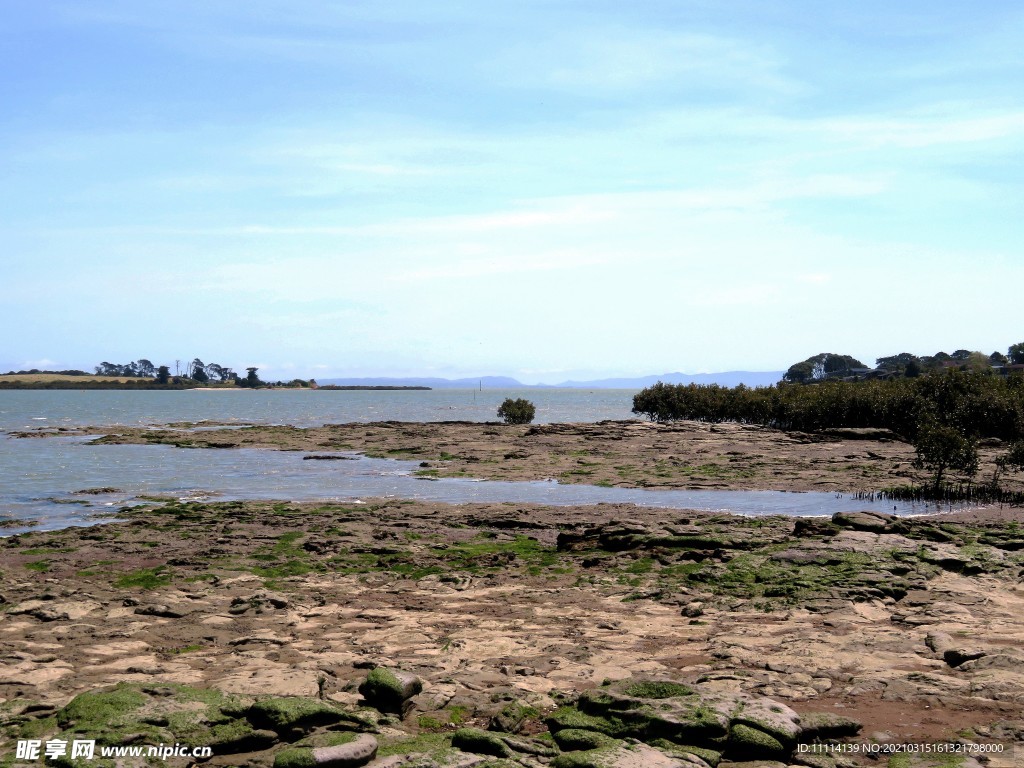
[[41, 477]]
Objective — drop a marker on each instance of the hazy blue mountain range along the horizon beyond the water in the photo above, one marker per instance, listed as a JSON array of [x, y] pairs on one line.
[[727, 379]]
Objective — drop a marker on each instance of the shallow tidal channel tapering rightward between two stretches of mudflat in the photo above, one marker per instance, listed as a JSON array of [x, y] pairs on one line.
[[65, 466]]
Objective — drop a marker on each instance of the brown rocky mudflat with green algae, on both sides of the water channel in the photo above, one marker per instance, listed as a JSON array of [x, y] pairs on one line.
[[568, 636]]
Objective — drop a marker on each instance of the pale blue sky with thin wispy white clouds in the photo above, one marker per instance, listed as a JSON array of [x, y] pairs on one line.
[[539, 189]]
